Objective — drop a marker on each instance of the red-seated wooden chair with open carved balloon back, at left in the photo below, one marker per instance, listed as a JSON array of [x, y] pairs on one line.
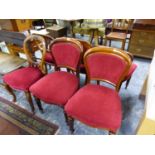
[[21, 79]]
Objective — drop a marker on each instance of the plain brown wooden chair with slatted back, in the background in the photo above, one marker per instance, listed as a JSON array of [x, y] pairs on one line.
[[119, 31]]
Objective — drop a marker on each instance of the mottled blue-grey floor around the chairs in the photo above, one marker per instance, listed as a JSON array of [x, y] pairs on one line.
[[133, 107]]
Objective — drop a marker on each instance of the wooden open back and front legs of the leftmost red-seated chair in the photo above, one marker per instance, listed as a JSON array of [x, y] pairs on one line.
[[37, 42]]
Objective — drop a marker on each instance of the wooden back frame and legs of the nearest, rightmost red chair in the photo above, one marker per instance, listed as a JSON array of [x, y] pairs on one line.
[[106, 51]]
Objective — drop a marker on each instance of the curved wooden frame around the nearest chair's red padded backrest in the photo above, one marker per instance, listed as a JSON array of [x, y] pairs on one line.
[[111, 52]]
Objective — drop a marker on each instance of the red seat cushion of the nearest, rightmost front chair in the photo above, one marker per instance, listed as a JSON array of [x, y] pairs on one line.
[[96, 106]]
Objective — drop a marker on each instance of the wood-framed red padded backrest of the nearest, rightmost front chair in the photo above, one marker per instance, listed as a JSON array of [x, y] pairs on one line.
[[107, 64]]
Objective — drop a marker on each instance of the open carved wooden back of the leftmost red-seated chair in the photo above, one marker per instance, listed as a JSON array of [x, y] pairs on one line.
[[34, 44]]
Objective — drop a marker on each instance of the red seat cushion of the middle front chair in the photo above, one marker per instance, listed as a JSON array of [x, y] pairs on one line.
[[55, 88]]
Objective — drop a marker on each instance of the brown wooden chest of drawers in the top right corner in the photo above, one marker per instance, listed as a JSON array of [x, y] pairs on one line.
[[142, 41]]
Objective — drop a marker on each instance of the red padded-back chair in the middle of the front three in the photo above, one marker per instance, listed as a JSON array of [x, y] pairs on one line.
[[57, 87]]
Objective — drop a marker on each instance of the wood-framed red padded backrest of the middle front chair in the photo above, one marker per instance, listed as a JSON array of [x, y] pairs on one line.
[[67, 53]]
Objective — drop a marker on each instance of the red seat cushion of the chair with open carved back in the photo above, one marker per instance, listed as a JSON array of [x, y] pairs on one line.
[[23, 78]]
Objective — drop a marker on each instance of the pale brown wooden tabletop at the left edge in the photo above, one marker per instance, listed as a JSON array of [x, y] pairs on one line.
[[9, 63]]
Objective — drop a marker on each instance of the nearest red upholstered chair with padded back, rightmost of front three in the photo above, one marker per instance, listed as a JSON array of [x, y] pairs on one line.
[[97, 105]]
